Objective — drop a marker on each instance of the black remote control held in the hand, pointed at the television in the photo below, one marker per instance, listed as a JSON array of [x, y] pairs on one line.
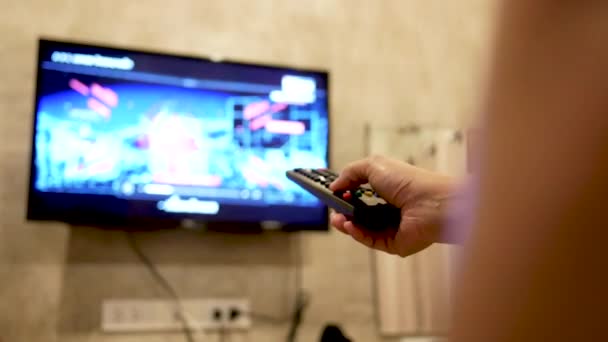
[[361, 205]]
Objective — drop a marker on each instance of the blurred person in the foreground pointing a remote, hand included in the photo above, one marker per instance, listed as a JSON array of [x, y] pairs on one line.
[[535, 227]]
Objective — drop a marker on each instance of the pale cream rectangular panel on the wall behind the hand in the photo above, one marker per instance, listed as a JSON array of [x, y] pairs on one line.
[[413, 293]]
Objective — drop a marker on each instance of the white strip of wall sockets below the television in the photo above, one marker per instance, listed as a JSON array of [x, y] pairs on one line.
[[143, 315]]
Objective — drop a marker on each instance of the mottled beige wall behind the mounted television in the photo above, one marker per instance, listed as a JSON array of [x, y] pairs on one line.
[[391, 61]]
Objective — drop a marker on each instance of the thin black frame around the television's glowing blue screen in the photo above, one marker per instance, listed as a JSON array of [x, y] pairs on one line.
[[143, 222]]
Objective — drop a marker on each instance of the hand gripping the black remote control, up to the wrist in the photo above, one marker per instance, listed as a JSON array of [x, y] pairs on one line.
[[420, 194]]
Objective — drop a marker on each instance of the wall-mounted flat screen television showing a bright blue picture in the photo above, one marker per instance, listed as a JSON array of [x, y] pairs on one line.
[[126, 137]]
